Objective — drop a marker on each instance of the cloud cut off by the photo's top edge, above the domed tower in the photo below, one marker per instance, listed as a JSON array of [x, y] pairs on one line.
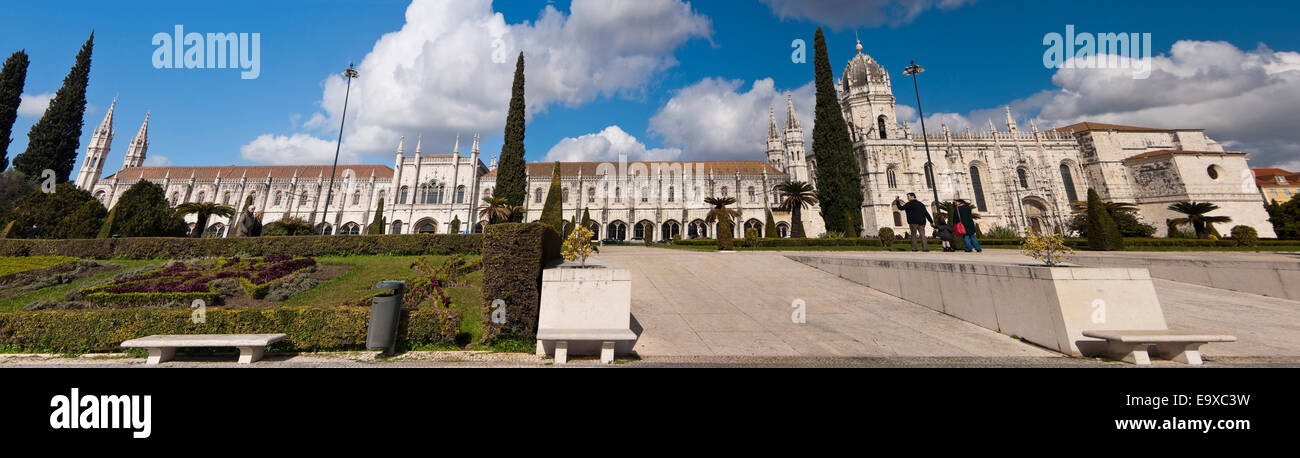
[[851, 14]]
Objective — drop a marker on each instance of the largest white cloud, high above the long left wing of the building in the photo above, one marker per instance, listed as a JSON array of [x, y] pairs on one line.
[[450, 68]]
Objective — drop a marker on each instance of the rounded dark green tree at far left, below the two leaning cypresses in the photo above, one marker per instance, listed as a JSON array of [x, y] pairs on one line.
[[54, 215]]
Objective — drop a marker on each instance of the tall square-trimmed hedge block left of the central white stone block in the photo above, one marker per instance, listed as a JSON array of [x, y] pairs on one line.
[[514, 256]]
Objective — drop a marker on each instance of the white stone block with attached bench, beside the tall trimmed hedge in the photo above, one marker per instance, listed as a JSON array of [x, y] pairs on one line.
[[593, 299]]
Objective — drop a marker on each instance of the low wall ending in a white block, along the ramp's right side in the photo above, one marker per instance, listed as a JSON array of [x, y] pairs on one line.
[[1050, 306]]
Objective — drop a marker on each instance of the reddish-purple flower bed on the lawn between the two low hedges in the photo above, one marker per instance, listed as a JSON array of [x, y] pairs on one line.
[[185, 283]]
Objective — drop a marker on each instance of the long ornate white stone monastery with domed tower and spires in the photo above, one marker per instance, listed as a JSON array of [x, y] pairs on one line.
[[1015, 179]]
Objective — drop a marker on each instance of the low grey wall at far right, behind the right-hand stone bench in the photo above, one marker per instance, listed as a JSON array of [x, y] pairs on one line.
[[1264, 278]]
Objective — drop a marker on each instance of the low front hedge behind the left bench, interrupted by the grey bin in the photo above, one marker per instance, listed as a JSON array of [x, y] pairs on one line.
[[307, 329]]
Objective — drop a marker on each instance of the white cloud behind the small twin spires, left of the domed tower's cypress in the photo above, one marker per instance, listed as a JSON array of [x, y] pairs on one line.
[[712, 120]]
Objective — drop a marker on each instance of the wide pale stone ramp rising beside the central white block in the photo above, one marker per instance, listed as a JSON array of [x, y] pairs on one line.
[[703, 304]]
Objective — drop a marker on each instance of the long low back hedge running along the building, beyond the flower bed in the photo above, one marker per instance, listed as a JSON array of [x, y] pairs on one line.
[[168, 248]]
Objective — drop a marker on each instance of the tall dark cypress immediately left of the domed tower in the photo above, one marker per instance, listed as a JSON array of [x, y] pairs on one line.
[[838, 176]]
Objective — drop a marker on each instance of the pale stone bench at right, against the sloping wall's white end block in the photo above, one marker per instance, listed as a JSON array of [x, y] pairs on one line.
[[1133, 347]]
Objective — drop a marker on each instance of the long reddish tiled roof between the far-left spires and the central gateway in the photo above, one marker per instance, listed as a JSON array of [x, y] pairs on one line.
[[235, 172]]
